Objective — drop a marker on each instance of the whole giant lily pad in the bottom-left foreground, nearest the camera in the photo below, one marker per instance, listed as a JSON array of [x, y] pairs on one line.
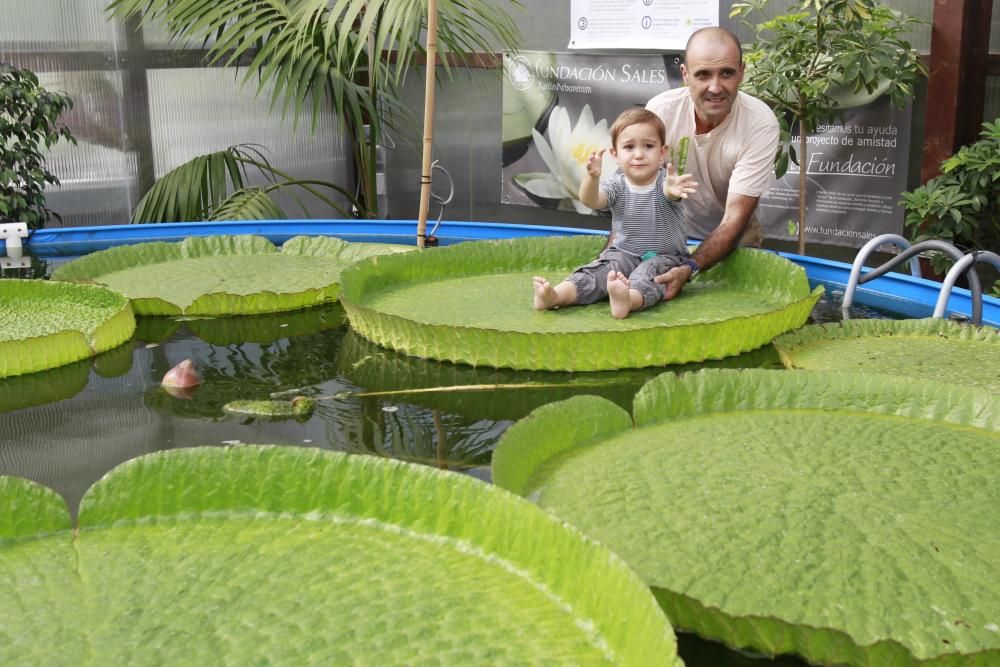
[[261, 555]]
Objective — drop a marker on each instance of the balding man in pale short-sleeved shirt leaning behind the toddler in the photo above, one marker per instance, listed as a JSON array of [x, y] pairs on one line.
[[732, 141]]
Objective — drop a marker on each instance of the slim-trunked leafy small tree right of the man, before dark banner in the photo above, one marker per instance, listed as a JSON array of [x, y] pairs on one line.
[[803, 63]]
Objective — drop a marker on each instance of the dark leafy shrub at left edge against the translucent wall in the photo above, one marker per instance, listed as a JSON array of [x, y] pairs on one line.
[[29, 125]]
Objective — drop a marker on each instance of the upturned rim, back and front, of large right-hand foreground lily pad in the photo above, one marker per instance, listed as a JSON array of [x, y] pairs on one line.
[[549, 432]]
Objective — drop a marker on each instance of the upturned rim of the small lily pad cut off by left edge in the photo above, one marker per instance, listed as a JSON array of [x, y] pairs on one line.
[[44, 351]]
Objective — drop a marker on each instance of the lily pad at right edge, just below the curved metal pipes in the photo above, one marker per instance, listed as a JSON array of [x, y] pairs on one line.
[[933, 348]]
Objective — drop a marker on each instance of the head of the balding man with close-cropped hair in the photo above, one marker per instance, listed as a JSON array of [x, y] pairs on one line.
[[713, 73]]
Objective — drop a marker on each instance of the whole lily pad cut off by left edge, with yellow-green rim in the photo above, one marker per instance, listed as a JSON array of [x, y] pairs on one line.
[[47, 324]]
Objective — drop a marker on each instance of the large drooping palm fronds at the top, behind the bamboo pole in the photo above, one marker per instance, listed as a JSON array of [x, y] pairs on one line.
[[305, 52]]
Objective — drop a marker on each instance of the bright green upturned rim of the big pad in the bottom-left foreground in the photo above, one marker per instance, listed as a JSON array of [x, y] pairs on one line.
[[452, 510]]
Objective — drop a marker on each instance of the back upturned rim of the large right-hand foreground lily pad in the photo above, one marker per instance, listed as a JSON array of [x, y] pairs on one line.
[[670, 397]]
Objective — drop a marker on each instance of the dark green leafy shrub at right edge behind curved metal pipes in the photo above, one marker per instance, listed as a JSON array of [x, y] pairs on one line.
[[962, 204]]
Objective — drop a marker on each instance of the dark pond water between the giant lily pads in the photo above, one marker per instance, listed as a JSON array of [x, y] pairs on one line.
[[67, 427]]
